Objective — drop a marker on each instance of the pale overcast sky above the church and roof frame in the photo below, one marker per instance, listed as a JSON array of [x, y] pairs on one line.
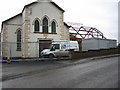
[[101, 14]]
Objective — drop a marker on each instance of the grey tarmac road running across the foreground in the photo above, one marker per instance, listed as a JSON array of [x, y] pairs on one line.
[[102, 73]]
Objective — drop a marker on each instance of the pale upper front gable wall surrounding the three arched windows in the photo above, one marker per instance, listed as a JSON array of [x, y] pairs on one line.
[[39, 10]]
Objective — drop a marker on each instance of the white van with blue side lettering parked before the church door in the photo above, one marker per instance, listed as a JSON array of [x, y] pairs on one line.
[[60, 49]]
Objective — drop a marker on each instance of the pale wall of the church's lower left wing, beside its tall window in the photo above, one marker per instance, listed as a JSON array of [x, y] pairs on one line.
[[12, 26]]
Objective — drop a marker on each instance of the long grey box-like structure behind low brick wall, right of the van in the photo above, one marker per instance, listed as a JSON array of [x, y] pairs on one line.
[[97, 43]]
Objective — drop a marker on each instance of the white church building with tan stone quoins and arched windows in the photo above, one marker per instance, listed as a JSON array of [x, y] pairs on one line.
[[38, 22]]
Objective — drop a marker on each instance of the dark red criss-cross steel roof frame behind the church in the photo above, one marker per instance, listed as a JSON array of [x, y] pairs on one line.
[[78, 31]]
